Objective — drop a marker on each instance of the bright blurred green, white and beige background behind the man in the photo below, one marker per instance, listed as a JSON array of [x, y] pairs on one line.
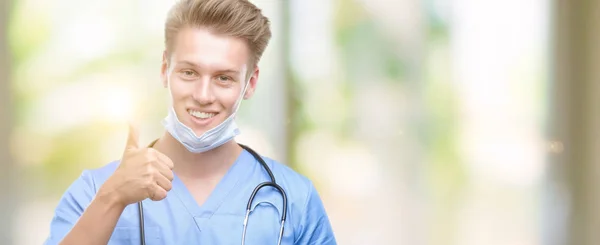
[[456, 122]]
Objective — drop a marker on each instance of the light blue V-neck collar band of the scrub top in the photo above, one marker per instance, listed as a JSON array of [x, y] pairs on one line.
[[219, 194]]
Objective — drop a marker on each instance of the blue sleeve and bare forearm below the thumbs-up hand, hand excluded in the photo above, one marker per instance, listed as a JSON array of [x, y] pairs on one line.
[[74, 223]]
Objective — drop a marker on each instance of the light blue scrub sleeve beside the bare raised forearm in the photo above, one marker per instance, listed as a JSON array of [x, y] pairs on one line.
[[70, 207]]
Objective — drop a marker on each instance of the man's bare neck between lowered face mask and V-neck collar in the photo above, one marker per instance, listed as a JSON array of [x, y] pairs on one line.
[[204, 165]]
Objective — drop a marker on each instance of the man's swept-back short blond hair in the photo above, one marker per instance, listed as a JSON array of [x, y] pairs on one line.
[[235, 18]]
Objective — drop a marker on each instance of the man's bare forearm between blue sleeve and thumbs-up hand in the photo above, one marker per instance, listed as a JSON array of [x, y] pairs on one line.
[[96, 224]]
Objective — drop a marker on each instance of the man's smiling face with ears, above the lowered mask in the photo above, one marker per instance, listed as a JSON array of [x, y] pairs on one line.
[[206, 74]]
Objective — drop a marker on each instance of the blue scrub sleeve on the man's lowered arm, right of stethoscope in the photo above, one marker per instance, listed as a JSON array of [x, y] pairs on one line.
[[315, 227]]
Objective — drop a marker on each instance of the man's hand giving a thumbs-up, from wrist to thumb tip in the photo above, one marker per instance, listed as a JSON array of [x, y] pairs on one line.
[[143, 173]]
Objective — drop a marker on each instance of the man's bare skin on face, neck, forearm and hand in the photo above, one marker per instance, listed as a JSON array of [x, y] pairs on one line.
[[203, 72]]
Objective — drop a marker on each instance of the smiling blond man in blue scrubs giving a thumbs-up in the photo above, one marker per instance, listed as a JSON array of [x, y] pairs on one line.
[[192, 185]]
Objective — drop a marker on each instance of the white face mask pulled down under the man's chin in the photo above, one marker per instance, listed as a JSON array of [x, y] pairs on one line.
[[212, 138]]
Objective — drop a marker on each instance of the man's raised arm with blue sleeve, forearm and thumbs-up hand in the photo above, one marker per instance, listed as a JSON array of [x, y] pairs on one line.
[[85, 217]]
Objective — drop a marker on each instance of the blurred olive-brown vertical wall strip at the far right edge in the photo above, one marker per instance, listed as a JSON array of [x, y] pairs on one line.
[[575, 118]]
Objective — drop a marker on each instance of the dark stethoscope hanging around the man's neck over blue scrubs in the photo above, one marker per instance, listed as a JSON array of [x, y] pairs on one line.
[[248, 207]]
